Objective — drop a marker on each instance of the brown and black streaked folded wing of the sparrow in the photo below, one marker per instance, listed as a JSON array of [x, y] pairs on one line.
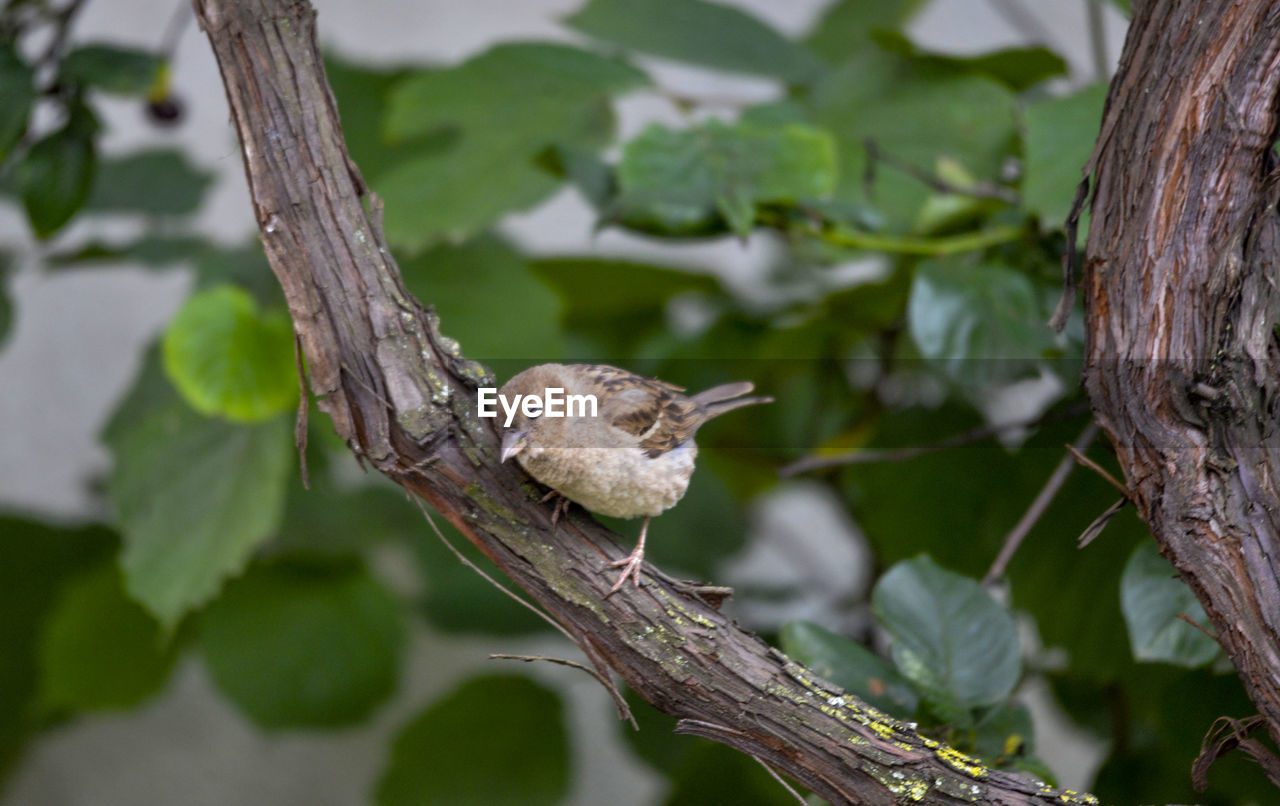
[[650, 410]]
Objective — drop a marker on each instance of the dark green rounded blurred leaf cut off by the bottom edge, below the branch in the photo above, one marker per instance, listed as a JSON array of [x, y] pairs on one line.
[[519, 757]]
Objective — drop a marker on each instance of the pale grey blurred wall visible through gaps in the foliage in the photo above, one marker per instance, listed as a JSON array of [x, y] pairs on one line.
[[60, 384]]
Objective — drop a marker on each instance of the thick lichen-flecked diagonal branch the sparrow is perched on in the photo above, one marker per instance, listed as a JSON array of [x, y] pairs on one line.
[[404, 400]]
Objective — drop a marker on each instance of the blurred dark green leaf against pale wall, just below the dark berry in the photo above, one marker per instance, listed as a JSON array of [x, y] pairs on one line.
[[156, 182]]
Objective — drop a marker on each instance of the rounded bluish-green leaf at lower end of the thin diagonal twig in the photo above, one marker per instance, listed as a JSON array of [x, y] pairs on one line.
[[949, 635]]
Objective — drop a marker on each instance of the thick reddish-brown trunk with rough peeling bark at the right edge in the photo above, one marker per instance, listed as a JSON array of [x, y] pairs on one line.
[[1182, 290]]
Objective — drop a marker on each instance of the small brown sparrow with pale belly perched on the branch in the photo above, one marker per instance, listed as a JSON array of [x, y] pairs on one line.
[[630, 457]]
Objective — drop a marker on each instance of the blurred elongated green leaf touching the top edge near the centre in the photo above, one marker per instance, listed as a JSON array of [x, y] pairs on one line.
[[700, 33]]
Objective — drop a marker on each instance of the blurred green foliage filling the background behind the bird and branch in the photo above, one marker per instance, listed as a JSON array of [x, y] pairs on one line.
[[916, 203]]
